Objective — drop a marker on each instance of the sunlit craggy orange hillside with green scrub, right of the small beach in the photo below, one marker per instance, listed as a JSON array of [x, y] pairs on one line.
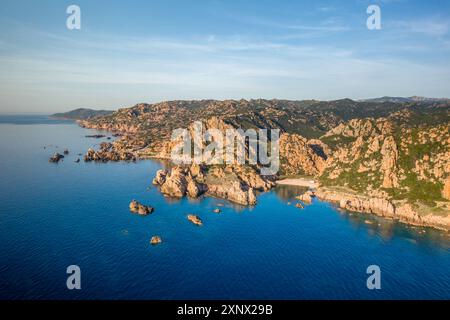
[[389, 158]]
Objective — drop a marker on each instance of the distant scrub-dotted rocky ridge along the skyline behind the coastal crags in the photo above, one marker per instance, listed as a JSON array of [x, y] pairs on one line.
[[309, 118]]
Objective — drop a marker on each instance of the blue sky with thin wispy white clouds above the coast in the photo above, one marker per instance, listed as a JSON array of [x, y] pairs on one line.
[[147, 51]]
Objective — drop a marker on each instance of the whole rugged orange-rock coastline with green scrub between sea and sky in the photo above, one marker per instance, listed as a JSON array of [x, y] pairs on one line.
[[395, 166]]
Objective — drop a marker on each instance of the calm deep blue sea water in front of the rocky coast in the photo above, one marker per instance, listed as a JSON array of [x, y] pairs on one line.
[[56, 215]]
